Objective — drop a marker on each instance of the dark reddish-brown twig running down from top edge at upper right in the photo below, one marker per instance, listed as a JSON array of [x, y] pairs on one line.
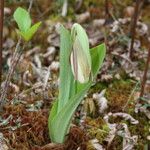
[[133, 26]]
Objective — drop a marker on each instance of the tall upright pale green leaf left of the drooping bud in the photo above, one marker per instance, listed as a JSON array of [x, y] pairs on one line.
[[66, 77]]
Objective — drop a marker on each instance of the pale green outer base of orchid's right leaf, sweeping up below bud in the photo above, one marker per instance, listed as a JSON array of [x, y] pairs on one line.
[[60, 123]]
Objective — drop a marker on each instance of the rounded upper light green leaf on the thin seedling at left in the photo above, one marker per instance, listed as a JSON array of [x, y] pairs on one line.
[[22, 17]]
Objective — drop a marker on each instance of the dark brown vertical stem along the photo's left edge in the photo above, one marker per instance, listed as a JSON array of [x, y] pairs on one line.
[[1, 35]]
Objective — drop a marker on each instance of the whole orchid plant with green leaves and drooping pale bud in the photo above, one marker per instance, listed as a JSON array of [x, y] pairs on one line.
[[79, 66]]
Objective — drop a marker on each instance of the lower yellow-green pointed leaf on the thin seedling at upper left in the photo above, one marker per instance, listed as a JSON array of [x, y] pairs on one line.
[[30, 32]]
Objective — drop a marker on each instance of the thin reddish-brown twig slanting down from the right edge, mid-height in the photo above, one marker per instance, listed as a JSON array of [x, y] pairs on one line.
[[145, 74]]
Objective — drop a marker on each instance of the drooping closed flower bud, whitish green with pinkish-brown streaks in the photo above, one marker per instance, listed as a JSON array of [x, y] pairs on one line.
[[80, 55]]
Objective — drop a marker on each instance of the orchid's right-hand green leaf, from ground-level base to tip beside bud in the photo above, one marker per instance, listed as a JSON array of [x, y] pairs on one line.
[[60, 123]]
